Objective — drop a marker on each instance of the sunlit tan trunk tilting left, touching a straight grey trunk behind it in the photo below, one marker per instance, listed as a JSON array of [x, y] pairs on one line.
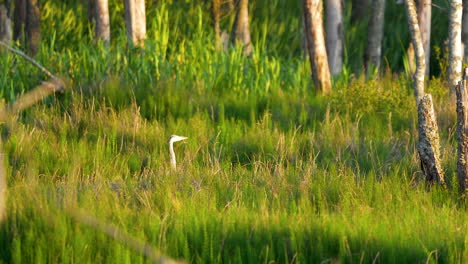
[[316, 45]]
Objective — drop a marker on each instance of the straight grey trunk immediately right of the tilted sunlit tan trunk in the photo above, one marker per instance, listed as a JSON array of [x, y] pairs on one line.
[[335, 35]]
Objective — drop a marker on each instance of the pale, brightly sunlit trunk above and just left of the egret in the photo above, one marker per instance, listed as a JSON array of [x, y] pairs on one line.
[[135, 19]]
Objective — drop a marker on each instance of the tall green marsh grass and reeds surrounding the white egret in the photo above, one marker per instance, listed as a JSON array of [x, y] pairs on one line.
[[271, 171]]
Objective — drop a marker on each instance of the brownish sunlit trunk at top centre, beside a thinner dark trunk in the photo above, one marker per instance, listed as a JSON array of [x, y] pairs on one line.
[[241, 31]]
